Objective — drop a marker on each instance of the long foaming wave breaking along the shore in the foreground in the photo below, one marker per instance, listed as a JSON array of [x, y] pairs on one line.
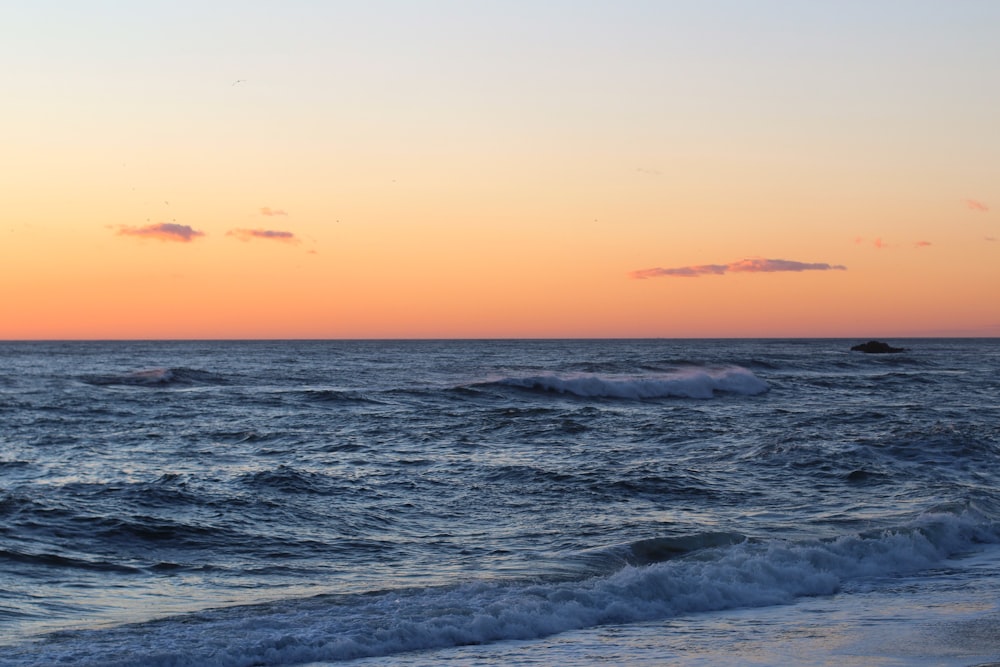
[[701, 573]]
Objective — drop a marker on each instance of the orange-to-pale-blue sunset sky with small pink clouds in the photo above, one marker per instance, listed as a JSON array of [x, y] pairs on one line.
[[499, 168]]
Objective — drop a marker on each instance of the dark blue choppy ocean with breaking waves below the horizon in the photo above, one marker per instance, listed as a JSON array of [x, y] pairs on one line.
[[539, 502]]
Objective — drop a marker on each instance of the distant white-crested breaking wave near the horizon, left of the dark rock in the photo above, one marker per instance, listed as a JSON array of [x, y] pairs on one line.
[[683, 383]]
